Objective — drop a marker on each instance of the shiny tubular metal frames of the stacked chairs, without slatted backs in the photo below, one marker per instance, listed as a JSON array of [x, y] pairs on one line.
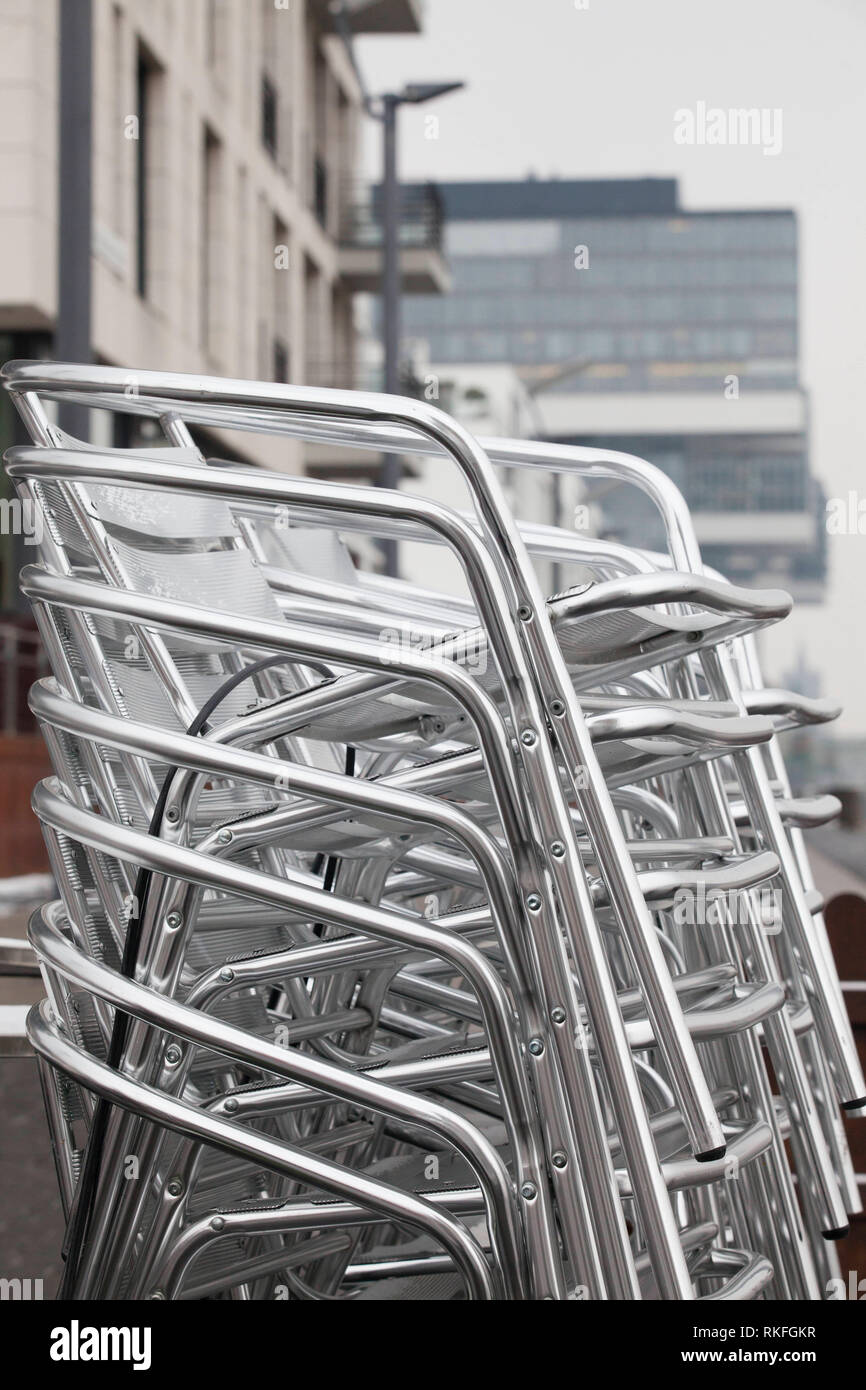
[[537, 882]]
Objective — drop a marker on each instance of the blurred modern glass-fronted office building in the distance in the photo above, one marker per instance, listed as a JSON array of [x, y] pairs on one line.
[[644, 327]]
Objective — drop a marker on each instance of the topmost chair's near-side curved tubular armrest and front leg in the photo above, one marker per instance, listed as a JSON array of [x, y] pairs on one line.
[[532, 641]]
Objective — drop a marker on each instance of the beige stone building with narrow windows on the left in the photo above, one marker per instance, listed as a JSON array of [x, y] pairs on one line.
[[230, 227]]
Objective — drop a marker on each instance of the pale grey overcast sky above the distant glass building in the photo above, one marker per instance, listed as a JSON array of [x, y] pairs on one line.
[[591, 88]]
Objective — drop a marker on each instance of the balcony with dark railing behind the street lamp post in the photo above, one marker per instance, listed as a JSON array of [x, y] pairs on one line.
[[423, 268]]
